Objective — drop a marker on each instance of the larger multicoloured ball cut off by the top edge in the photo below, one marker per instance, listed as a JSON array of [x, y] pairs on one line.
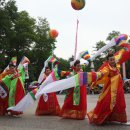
[[77, 4]]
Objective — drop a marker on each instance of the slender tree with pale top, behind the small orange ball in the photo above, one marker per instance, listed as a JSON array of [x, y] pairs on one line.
[[42, 46]]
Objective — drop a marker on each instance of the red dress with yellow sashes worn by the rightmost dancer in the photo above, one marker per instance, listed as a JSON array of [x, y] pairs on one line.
[[111, 103]]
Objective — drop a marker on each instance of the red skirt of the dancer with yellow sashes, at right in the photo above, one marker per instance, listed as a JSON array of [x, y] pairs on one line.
[[102, 112]]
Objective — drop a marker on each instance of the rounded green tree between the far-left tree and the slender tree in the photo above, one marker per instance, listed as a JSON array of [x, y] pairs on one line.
[[24, 29]]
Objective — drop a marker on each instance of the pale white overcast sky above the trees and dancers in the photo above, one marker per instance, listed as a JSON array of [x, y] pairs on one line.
[[96, 20]]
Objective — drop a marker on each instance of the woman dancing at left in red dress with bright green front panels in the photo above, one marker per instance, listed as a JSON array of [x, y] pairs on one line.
[[14, 84]]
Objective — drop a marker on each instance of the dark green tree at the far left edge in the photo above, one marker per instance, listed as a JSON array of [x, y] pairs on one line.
[[8, 13]]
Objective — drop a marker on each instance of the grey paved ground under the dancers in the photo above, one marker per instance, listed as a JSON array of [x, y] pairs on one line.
[[29, 121]]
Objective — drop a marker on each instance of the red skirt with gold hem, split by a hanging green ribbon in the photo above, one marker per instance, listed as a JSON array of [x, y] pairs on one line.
[[72, 111]]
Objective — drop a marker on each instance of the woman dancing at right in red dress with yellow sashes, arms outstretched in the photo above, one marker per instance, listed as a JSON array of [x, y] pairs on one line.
[[111, 104]]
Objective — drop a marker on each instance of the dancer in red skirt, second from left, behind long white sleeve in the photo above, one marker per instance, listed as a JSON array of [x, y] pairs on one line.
[[51, 105]]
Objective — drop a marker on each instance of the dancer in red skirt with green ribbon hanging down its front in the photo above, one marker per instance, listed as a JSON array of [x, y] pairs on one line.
[[75, 105]]
